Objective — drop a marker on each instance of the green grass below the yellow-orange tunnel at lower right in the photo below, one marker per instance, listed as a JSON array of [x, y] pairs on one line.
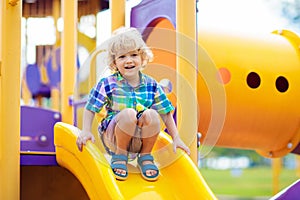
[[252, 182]]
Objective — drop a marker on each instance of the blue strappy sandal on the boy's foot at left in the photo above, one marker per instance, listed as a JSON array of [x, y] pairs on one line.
[[113, 165]]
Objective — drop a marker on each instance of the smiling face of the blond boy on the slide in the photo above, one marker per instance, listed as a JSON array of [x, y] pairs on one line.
[[129, 64]]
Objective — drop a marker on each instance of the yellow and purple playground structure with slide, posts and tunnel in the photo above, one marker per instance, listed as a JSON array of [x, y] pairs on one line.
[[261, 85]]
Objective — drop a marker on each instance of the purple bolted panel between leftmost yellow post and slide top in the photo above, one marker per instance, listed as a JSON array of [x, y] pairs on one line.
[[37, 126]]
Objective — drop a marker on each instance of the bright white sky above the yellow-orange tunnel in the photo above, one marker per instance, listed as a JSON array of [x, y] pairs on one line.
[[255, 16]]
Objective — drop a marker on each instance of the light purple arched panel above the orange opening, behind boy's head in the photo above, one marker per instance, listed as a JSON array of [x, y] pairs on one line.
[[148, 10]]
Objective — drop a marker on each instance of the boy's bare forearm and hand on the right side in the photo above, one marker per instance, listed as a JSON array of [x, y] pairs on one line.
[[172, 129]]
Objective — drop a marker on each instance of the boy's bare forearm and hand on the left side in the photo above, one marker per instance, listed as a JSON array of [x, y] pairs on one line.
[[86, 134]]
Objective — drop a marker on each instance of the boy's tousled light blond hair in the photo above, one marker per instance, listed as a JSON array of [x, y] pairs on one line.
[[125, 40]]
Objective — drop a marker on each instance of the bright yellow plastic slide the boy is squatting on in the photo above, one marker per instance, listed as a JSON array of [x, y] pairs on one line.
[[179, 179]]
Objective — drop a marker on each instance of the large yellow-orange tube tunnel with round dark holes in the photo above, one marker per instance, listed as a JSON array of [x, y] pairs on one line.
[[261, 90]]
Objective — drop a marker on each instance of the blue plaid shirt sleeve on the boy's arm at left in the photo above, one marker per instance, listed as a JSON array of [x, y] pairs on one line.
[[97, 98]]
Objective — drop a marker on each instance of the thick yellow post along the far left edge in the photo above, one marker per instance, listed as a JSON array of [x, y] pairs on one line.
[[10, 51]]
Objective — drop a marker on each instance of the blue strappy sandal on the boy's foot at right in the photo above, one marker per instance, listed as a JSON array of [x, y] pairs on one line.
[[144, 168]]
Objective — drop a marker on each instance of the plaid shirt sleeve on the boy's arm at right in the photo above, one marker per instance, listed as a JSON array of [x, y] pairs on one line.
[[161, 103]]
